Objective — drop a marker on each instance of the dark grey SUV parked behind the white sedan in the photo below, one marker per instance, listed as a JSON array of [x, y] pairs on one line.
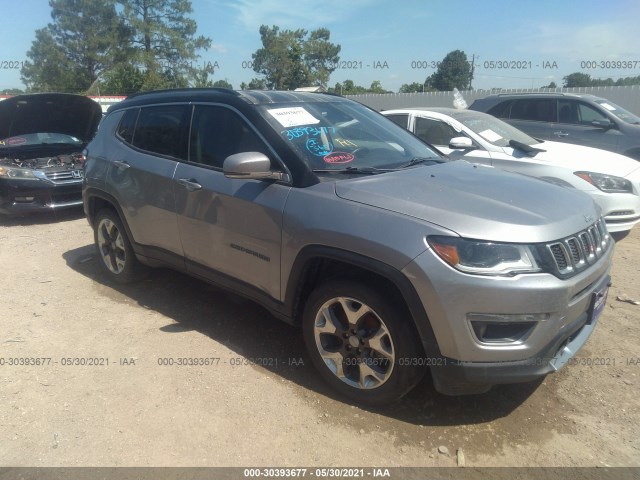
[[580, 119]]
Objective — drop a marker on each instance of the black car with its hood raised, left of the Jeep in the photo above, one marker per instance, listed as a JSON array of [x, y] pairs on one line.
[[42, 137]]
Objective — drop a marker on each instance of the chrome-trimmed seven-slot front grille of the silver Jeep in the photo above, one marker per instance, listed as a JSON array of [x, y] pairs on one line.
[[575, 253]]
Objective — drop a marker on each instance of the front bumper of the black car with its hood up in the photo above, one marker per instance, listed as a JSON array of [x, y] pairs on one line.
[[28, 196]]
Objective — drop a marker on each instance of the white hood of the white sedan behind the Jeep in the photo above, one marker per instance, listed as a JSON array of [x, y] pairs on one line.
[[580, 158]]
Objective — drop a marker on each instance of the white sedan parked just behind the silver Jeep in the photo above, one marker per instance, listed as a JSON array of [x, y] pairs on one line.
[[612, 180]]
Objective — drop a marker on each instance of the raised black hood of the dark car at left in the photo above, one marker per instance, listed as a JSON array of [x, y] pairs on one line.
[[65, 113]]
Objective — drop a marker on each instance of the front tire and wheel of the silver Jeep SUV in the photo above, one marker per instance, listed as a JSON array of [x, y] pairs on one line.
[[362, 342]]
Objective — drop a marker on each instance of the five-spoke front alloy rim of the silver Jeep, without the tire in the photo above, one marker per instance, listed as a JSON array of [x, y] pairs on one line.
[[354, 343]]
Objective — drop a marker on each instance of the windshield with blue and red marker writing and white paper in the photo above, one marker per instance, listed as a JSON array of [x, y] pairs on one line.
[[337, 135]]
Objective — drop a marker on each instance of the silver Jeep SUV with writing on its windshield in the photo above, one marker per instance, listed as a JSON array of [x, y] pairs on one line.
[[392, 259]]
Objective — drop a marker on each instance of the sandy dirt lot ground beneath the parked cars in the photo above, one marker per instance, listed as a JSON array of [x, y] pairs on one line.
[[136, 412]]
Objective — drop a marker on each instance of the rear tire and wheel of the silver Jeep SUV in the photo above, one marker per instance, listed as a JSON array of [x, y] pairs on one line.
[[115, 254]]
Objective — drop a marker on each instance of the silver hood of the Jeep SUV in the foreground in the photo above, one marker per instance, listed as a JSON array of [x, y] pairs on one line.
[[477, 202]]
